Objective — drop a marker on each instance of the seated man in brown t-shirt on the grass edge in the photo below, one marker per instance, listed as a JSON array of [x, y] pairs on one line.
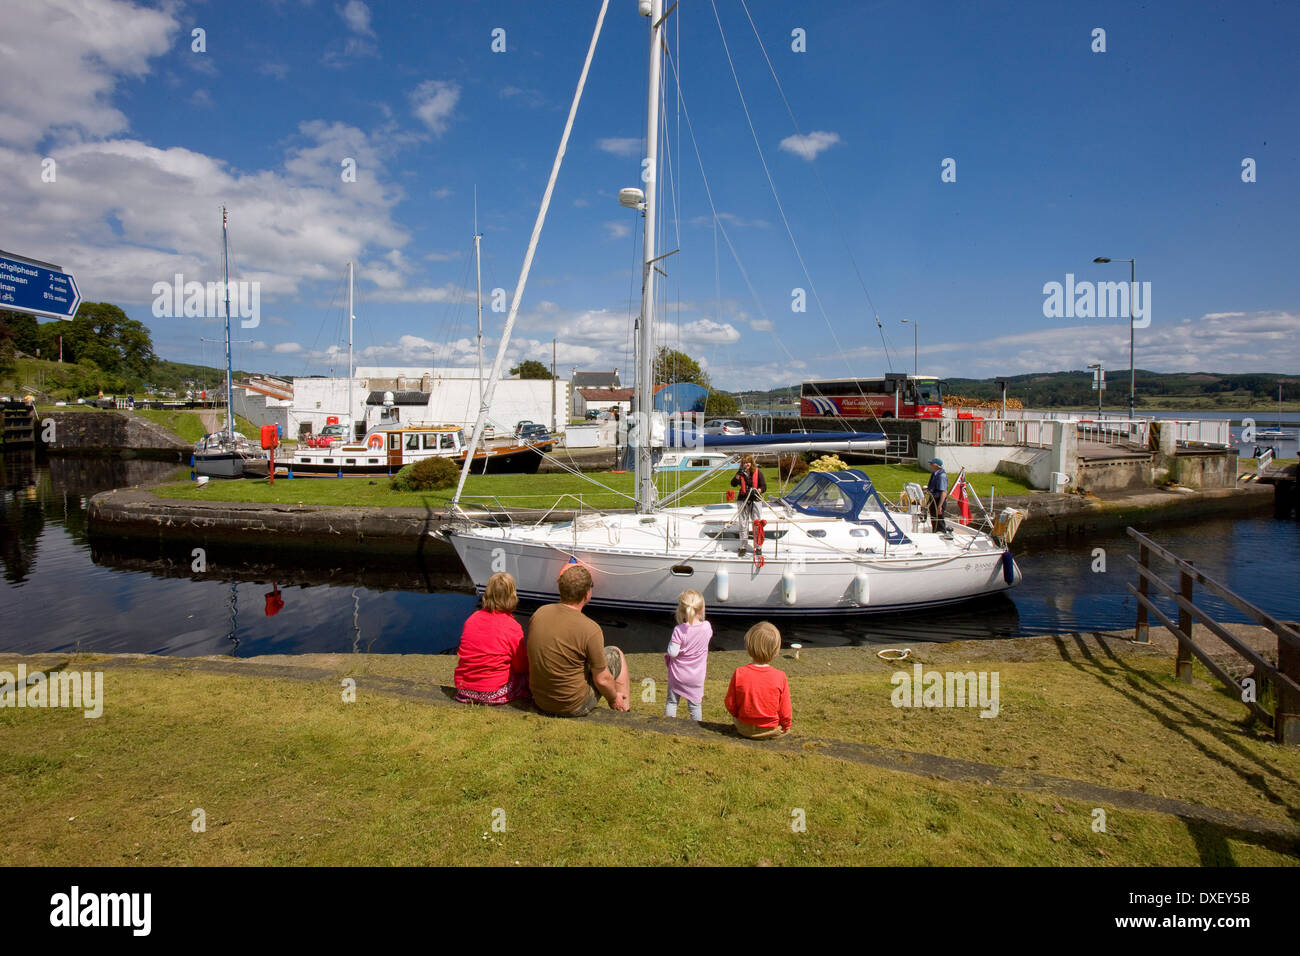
[[569, 667]]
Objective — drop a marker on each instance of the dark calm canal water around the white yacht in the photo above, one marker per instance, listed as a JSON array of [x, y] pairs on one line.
[[64, 591]]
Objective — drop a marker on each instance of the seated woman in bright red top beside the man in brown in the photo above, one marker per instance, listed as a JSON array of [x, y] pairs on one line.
[[493, 667]]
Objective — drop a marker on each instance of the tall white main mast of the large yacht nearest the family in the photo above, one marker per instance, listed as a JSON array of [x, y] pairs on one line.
[[644, 471]]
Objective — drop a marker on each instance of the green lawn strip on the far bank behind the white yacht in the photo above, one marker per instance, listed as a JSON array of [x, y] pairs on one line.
[[527, 491]]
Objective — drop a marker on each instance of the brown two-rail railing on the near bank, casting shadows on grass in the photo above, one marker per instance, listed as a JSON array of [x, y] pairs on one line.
[[1284, 677]]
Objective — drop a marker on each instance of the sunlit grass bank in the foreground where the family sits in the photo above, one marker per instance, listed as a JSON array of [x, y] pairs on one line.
[[287, 773]]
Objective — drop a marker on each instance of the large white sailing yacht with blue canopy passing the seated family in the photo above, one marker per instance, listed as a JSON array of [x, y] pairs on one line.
[[831, 546]]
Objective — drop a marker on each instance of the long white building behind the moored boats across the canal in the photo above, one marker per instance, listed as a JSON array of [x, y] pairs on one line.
[[418, 395]]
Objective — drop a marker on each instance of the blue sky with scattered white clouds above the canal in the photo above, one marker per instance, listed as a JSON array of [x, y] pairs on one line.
[[1061, 154]]
